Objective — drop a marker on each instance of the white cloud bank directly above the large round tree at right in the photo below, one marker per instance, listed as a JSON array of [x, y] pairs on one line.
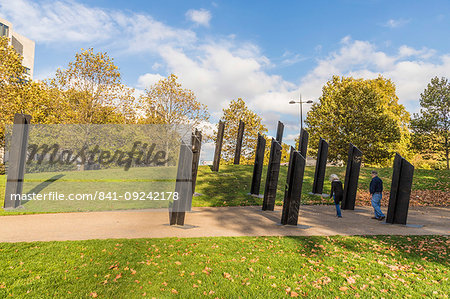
[[361, 59]]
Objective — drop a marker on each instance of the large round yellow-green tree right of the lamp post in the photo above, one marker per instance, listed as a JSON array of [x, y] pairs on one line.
[[363, 112]]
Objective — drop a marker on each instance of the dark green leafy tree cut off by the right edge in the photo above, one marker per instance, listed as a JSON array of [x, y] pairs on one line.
[[431, 127]]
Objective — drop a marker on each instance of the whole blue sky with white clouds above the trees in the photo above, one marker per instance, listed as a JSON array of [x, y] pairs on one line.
[[266, 52]]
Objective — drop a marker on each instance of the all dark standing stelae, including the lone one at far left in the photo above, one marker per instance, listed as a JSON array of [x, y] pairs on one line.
[[188, 166]]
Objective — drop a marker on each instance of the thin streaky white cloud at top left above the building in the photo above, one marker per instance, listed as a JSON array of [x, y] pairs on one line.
[[69, 21]]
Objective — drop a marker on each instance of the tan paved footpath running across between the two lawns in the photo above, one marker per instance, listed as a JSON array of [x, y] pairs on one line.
[[208, 222]]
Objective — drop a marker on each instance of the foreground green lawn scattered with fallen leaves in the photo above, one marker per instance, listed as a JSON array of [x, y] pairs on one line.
[[241, 267]]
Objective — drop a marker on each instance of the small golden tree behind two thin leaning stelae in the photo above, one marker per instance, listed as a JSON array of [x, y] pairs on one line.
[[236, 111]]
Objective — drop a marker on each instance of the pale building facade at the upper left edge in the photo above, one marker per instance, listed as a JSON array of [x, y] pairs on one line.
[[23, 45]]
